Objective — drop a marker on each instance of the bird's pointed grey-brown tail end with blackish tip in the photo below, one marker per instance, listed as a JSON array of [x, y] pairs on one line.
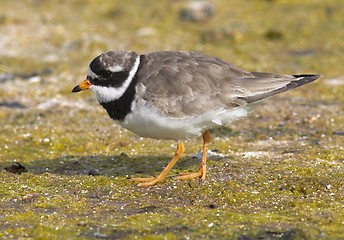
[[265, 85]]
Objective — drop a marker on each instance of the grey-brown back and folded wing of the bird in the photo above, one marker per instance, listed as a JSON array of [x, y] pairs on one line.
[[189, 83]]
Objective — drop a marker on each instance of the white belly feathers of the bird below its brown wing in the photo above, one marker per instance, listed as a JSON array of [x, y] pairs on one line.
[[147, 122]]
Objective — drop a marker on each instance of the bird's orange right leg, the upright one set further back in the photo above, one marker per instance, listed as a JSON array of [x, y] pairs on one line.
[[201, 173]]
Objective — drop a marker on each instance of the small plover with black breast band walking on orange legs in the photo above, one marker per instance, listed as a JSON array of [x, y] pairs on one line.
[[177, 95]]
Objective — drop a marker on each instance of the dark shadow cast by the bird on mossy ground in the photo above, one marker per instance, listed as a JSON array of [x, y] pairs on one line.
[[112, 166]]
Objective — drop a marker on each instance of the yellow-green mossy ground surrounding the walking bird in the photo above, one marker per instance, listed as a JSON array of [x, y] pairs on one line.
[[282, 177]]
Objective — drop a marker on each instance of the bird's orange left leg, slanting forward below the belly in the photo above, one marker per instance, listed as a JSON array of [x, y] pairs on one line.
[[146, 182]]
